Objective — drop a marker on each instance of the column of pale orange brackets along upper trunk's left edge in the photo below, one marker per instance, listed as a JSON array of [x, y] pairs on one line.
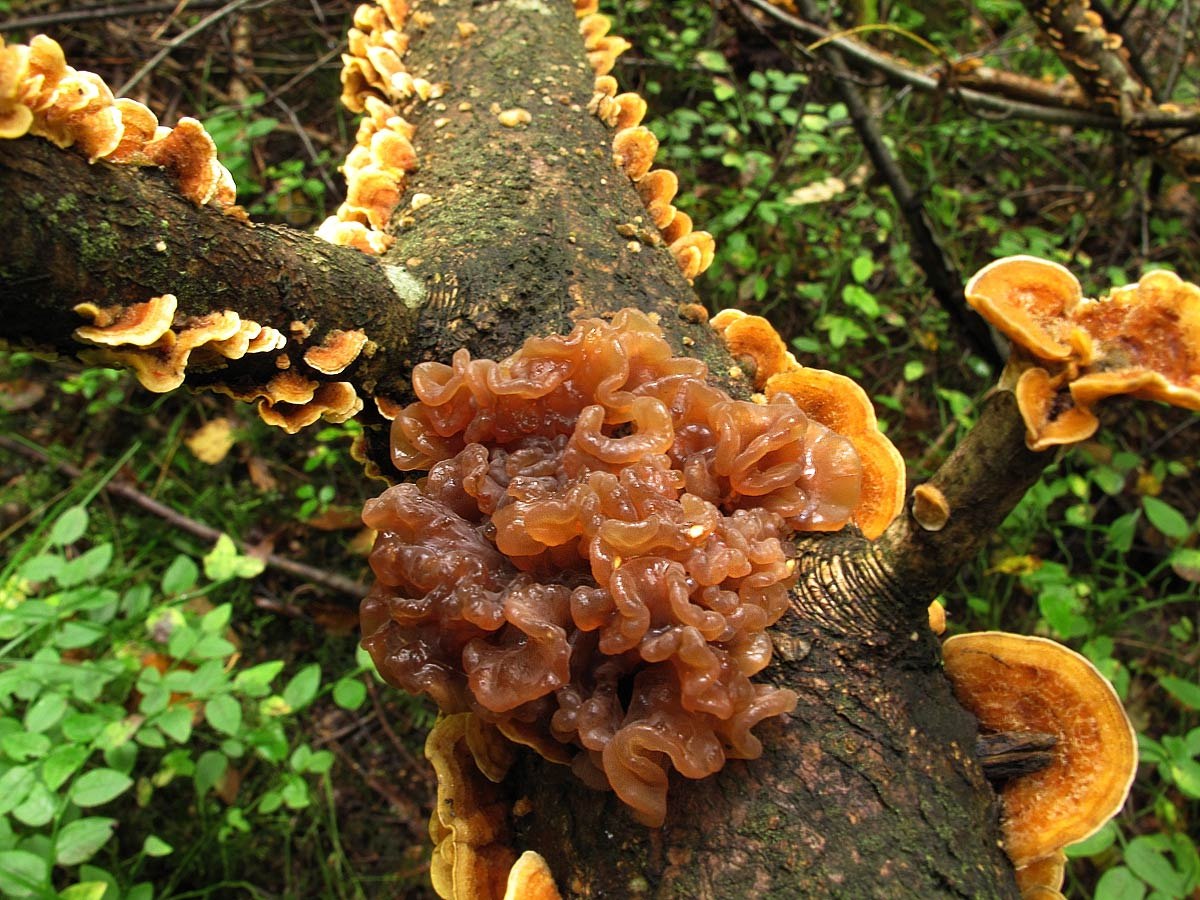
[[376, 82]]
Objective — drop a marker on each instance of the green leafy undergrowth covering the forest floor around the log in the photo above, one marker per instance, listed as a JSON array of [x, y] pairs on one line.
[[173, 718]]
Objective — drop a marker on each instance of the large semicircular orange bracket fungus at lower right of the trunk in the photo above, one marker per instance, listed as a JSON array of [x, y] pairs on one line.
[[1015, 683]]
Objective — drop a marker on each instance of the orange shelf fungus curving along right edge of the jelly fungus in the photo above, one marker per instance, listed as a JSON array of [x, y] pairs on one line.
[[830, 399]]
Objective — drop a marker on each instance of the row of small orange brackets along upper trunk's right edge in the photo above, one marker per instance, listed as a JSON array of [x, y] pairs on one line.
[[634, 147]]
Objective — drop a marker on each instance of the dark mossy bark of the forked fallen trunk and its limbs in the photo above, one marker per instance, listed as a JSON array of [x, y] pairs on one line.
[[871, 789]]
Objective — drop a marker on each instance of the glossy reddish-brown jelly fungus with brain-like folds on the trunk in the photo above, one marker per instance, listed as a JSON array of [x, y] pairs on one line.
[[597, 550]]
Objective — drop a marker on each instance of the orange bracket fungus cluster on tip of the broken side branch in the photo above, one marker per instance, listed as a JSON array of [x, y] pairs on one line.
[[1071, 352]]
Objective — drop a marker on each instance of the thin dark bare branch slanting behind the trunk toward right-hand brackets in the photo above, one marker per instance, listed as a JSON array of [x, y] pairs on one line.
[[943, 275]]
